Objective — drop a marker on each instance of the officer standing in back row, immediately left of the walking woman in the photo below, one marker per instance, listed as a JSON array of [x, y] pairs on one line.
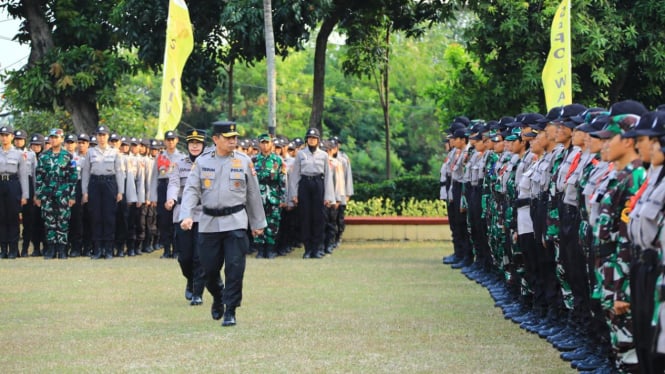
[[163, 167]]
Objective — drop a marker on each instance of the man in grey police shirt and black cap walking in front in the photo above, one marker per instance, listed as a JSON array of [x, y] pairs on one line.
[[225, 183]]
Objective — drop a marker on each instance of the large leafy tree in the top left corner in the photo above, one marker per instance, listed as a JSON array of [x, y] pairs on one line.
[[73, 59]]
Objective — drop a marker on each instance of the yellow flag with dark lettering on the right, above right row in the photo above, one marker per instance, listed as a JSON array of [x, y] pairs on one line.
[[557, 74]]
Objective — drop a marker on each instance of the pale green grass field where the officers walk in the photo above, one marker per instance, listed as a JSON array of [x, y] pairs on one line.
[[371, 307]]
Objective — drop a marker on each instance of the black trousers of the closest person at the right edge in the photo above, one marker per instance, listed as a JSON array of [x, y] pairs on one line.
[[643, 274]]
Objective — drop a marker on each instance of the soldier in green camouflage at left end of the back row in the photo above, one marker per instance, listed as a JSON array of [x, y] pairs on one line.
[[55, 184]]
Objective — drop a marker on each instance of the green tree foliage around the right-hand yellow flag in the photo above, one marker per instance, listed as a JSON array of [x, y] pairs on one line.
[[617, 54]]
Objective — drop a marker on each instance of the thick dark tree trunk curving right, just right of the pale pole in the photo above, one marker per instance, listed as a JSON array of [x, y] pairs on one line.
[[318, 90]]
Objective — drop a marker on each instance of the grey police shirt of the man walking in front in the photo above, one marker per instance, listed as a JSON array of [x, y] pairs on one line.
[[223, 182]]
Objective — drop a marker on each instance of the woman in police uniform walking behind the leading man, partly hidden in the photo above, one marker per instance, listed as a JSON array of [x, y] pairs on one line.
[[187, 241]]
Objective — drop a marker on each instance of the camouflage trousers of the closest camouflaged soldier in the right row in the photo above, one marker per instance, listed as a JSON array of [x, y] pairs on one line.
[[621, 326]]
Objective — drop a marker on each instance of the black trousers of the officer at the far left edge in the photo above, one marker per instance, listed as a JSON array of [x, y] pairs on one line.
[[10, 206]]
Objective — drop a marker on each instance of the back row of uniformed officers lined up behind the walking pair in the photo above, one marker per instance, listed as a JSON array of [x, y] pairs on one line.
[[129, 182]]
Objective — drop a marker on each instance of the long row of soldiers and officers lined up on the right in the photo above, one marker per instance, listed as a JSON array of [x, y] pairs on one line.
[[570, 245]]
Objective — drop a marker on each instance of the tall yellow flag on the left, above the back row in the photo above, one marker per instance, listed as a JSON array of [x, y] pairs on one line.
[[179, 44]]
